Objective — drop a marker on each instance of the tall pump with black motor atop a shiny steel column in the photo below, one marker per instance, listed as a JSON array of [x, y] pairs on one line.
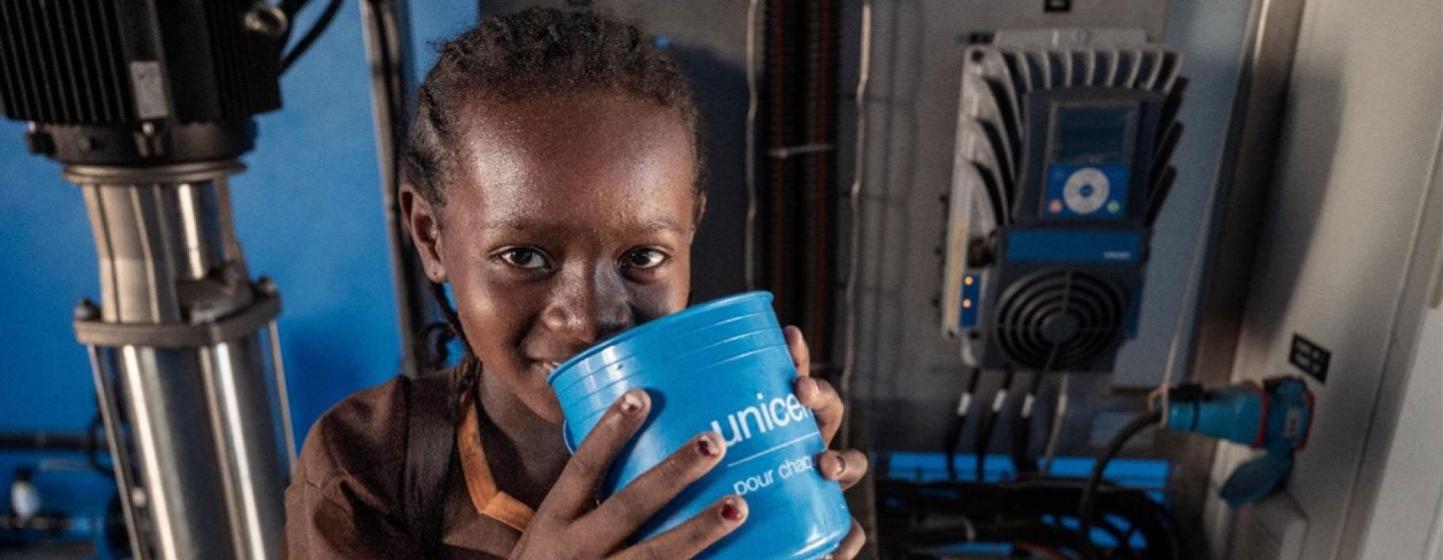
[[149, 105]]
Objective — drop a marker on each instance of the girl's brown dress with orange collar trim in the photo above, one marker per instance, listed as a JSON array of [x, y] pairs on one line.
[[346, 496]]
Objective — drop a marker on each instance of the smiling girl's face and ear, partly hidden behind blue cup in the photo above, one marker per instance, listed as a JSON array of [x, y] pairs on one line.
[[571, 219]]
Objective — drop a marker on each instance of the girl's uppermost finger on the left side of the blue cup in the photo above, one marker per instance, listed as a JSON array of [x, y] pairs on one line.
[[578, 483]]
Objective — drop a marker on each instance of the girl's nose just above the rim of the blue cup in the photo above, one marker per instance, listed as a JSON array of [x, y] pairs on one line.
[[589, 305]]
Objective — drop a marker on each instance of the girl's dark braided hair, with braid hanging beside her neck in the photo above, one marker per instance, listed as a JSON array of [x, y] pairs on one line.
[[536, 53]]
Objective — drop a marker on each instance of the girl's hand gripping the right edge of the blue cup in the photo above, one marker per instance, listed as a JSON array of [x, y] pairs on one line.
[[846, 467]]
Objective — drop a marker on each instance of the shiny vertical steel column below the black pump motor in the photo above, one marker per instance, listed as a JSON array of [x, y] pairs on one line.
[[187, 366]]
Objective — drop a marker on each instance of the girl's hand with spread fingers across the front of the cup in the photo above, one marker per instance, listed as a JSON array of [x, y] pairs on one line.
[[566, 526]]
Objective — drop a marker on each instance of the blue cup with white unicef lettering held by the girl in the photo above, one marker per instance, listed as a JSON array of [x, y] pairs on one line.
[[724, 367]]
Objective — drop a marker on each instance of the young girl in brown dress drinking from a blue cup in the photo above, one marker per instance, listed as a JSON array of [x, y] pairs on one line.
[[555, 183]]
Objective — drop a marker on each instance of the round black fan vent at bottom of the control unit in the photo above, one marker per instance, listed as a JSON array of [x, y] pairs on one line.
[[1060, 320]]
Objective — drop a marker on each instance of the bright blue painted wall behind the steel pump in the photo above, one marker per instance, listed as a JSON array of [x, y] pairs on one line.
[[308, 213]]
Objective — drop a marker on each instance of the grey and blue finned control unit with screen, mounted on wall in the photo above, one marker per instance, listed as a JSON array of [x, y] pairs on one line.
[[1060, 172]]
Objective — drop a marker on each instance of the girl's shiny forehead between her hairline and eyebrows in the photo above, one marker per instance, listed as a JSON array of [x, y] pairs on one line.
[[582, 158]]
